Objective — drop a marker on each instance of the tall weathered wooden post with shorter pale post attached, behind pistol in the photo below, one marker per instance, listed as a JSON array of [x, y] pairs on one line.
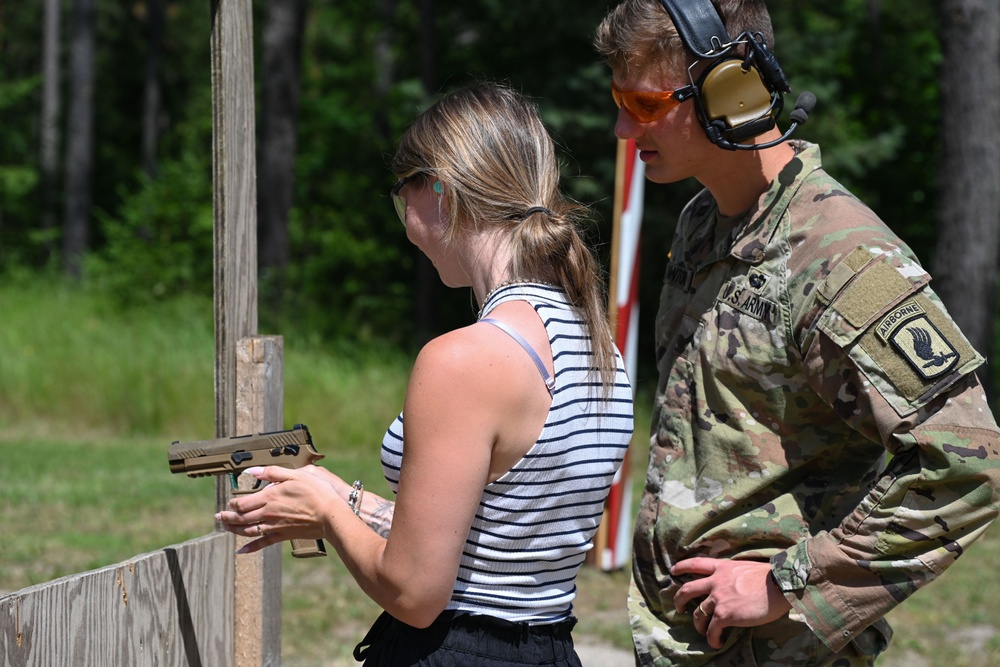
[[257, 585]]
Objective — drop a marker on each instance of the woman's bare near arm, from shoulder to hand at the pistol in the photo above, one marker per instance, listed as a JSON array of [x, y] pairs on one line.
[[456, 405]]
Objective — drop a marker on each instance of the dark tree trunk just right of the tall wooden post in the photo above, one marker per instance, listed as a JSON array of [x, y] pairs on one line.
[[278, 145]]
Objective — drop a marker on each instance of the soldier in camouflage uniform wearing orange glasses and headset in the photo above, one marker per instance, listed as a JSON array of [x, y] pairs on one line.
[[821, 446]]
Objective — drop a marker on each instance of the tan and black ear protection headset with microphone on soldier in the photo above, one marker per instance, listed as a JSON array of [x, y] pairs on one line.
[[737, 96]]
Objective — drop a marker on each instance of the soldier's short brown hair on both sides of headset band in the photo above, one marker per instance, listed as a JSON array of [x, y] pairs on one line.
[[640, 33]]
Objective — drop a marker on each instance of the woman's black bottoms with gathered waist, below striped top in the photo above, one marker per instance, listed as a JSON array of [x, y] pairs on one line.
[[457, 639]]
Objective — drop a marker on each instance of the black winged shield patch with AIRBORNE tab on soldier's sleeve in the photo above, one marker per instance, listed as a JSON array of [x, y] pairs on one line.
[[916, 338]]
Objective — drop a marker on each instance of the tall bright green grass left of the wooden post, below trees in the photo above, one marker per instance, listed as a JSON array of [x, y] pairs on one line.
[[76, 364]]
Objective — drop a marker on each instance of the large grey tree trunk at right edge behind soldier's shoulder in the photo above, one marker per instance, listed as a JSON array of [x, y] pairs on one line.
[[965, 258]]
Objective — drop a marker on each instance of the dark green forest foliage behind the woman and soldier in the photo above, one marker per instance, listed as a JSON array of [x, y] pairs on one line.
[[352, 270]]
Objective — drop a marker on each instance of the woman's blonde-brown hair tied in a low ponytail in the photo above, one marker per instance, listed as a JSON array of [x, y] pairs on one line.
[[487, 143]]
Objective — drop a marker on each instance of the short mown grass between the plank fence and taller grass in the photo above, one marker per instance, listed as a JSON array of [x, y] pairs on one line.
[[81, 503]]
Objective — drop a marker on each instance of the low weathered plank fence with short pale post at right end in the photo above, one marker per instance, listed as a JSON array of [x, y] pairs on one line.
[[194, 604]]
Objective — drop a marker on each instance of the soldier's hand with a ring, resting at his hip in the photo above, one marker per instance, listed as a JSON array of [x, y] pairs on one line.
[[737, 593]]
